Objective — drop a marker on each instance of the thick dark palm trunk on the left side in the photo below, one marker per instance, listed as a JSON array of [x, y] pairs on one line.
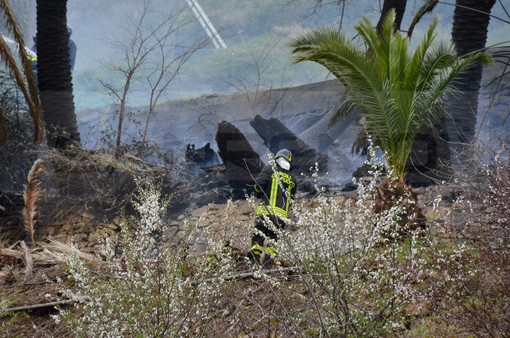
[[54, 74]]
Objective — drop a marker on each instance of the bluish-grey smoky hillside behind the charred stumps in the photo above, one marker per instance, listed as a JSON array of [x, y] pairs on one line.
[[178, 123]]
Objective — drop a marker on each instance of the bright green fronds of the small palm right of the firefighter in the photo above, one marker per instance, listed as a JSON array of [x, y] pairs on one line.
[[398, 92]]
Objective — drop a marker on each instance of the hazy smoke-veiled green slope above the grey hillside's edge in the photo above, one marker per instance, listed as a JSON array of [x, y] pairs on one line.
[[254, 32]]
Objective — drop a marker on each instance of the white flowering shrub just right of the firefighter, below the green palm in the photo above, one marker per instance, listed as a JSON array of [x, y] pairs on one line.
[[358, 272]]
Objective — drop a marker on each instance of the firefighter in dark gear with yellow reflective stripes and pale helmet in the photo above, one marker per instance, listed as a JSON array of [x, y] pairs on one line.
[[275, 186]]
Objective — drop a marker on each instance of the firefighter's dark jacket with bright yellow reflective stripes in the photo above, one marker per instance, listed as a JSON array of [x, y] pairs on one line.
[[276, 189]]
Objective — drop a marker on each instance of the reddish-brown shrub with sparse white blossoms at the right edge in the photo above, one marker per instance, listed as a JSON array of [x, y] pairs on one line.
[[476, 294]]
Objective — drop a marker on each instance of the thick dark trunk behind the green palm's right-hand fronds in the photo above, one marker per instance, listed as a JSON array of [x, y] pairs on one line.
[[470, 25]]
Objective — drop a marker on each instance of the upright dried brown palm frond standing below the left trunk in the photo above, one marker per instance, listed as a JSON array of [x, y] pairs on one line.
[[30, 197]]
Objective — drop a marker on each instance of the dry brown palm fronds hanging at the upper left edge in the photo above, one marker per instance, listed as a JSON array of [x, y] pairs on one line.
[[24, 77]]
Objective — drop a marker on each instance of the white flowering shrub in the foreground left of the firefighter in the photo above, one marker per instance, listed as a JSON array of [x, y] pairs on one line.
[[144, 288]]
